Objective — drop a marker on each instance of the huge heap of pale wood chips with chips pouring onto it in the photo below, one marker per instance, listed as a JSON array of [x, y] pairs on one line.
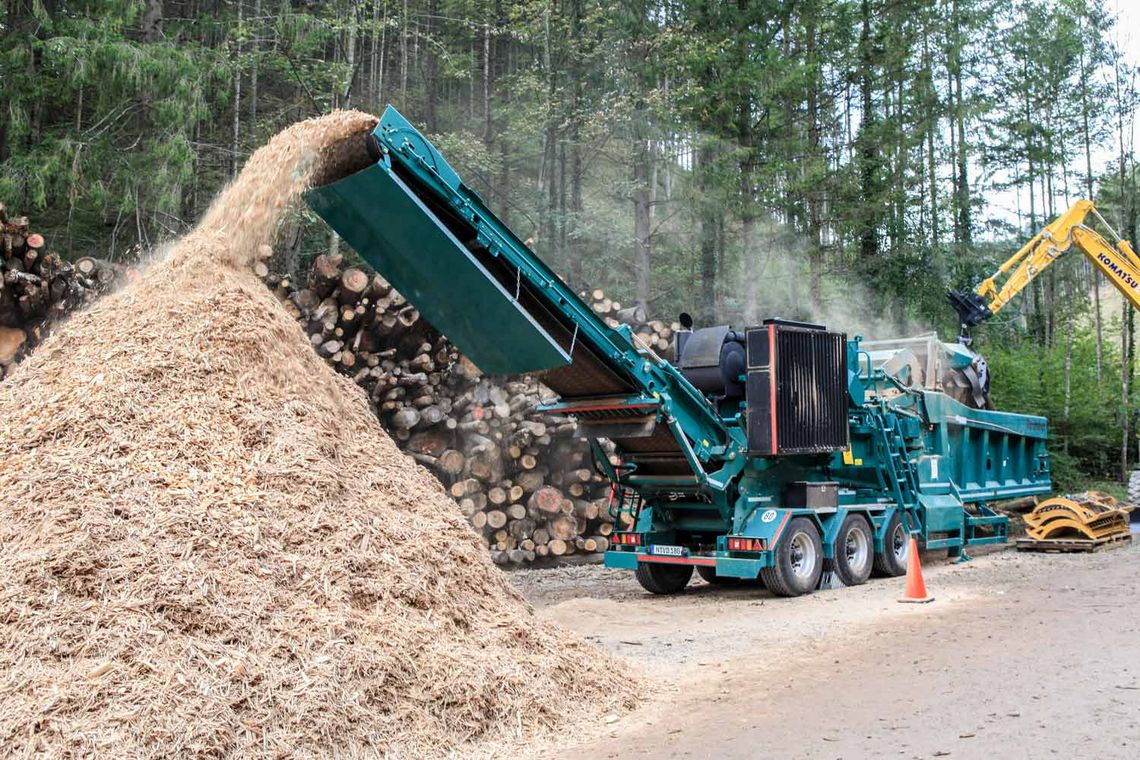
[[213, 550]]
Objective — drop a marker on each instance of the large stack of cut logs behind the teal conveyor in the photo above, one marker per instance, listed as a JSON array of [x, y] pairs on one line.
[[523, 479]]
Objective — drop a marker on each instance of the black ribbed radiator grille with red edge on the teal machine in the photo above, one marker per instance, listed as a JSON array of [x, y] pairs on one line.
[[810, 398]]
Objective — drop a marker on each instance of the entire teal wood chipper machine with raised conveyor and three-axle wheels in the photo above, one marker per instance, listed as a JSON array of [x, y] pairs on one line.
[[775, 452]]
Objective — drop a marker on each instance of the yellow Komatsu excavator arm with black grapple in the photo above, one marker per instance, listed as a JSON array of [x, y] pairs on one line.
[[1118, 261]]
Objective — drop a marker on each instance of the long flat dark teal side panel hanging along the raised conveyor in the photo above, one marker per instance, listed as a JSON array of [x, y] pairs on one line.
[[385, 222]]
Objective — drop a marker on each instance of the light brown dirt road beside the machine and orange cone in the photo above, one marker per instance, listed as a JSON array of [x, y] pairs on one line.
[[1022, 656]]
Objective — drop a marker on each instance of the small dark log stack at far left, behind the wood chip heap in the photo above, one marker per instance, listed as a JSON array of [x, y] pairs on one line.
[[38, 288]]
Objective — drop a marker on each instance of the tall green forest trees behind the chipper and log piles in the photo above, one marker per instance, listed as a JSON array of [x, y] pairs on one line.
[[845, 161]]
